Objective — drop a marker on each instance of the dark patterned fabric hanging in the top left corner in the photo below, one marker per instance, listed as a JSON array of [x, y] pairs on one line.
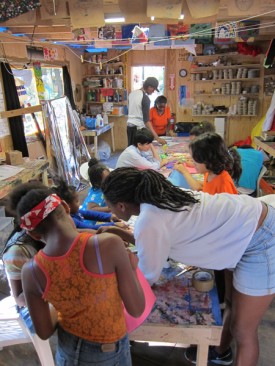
[[11, 9]]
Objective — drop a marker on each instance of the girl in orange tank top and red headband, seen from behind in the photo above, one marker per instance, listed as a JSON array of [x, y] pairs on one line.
[[85, 278]]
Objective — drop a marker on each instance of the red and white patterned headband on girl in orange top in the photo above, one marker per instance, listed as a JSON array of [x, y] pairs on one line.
[[31, 219]]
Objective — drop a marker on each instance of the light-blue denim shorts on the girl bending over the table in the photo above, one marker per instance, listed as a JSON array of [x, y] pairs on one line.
[[254, 274]]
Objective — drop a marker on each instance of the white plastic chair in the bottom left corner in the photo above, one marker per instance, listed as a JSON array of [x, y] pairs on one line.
[[14, 331]]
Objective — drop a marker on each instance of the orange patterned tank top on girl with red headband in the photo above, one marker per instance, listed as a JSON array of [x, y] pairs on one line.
[[89, 304]]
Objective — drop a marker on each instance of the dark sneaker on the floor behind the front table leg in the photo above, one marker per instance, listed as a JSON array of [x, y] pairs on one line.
[[214, 357]]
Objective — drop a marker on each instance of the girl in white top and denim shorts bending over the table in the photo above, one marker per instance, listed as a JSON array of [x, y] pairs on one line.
[[208, 231]]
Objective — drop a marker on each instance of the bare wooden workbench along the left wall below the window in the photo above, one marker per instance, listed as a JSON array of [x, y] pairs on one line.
[[32, 169]]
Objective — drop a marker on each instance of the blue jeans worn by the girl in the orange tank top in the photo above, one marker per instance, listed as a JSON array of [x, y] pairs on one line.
[[75, 351]]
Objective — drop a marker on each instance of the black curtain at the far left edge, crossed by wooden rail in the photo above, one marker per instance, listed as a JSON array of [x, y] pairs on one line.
[[12, 102]]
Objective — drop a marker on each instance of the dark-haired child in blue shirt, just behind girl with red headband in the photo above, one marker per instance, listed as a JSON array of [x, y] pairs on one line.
[[83, 219]]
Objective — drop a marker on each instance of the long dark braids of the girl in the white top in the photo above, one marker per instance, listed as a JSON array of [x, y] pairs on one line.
[[145, 186]]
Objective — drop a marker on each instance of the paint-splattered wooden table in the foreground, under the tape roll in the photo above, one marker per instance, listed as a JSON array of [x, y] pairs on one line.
[[182, 315]]
